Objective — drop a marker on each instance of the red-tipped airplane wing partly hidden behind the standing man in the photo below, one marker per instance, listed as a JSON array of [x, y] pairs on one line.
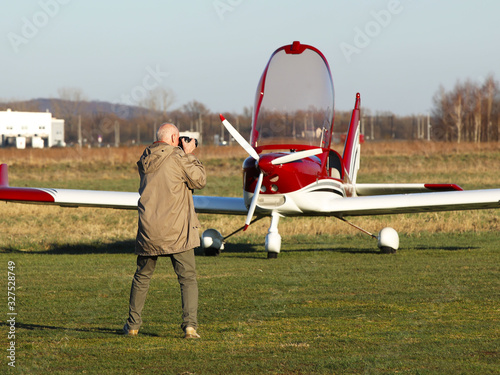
[[108, 199]]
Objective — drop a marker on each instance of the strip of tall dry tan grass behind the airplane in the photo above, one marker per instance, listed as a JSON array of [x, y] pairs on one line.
[[469, 165]]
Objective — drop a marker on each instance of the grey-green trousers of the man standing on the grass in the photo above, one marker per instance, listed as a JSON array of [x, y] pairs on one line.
[[185, 268]]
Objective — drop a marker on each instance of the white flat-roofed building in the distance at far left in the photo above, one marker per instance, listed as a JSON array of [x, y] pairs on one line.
[[38, 129]]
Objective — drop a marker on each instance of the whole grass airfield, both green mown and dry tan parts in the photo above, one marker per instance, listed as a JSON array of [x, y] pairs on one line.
[[330, 304]]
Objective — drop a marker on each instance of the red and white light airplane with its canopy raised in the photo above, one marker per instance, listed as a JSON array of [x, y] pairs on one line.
[[291, 169]]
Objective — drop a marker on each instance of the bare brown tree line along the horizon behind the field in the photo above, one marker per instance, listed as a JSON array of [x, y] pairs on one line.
[[470, 112]]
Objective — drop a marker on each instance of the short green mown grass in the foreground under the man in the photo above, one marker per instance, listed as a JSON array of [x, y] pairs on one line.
[[327, 305]]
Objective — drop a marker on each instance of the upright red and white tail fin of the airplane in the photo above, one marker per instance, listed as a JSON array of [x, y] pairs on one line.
[[352, 148]]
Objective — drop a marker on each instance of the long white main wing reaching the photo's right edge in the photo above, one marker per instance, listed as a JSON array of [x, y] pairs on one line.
[[414, 203]]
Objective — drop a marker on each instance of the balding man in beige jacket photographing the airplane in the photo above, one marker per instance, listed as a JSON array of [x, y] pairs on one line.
[[168, 225]]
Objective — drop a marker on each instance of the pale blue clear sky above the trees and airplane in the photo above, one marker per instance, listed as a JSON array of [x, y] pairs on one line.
[[395, 53]]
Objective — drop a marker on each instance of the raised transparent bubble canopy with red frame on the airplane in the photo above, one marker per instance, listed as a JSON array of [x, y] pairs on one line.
[[294, 103]]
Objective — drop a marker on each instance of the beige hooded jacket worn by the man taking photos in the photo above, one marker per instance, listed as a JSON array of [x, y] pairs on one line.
[[167, 221]]
